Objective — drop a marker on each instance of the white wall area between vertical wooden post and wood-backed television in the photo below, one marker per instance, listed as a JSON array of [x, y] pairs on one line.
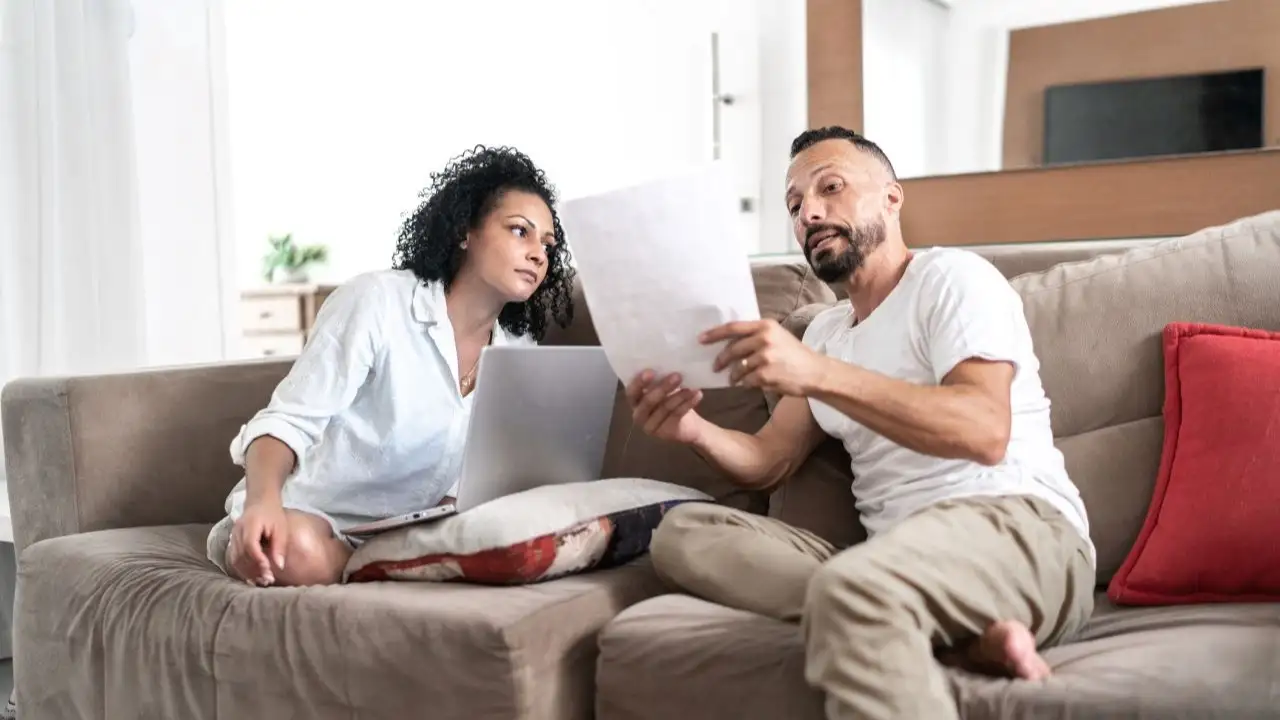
[[963, 131]]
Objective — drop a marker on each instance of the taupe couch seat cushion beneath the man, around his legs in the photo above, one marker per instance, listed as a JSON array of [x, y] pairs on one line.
[[676, 657]]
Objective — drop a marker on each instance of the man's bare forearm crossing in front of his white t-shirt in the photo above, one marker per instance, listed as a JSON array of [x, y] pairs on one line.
[[939, 421]]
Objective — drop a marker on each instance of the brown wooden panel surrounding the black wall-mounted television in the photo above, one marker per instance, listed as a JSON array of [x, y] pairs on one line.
[[1217, 37]]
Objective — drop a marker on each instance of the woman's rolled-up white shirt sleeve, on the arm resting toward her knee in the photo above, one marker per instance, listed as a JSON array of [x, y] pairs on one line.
[[327, 376]]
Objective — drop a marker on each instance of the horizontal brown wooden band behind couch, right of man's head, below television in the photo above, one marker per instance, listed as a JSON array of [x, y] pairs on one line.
[[1109, 200]]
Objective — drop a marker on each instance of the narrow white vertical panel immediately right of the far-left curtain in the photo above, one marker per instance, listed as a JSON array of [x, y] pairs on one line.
[[184, 194]]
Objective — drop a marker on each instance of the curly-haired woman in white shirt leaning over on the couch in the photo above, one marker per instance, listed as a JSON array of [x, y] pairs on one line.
[[372, 418]]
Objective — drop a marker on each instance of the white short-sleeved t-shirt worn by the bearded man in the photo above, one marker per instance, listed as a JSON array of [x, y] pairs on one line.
[[952, 306]]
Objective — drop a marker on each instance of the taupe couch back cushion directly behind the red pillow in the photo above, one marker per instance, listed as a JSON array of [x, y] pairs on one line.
[[1098, 326]]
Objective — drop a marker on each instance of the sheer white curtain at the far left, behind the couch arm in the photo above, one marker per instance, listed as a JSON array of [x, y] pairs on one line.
[[71, 257]]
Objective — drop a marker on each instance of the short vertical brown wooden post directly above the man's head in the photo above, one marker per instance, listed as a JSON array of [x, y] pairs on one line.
[[835, 57]]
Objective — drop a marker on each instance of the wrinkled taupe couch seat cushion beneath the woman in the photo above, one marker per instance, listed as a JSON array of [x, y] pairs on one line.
[[139, 625]]
